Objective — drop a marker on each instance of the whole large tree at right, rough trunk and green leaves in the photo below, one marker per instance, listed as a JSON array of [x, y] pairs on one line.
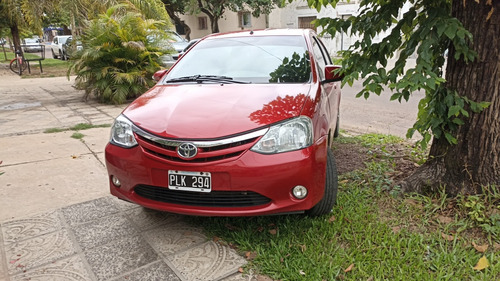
[[460, 109]]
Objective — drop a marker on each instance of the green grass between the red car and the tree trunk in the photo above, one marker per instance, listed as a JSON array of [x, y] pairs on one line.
[[371, 234]]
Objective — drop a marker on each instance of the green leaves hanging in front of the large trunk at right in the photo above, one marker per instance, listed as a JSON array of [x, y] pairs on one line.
[[428, 30]]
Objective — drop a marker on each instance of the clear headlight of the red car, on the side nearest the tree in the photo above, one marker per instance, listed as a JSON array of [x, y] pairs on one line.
[[291, 135]]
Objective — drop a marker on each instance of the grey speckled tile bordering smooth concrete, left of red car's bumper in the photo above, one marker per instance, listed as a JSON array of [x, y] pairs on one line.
[[89, 211]]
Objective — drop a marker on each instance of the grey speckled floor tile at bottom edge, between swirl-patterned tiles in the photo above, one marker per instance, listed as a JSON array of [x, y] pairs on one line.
[[119, 257]]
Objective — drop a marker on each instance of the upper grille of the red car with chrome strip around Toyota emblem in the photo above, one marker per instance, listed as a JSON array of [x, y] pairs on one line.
[[208, 151]]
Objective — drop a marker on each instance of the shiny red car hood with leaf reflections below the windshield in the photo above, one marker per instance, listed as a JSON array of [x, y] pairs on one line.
[[208, 111]]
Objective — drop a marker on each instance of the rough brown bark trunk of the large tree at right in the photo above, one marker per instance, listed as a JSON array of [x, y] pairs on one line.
[[475, 160]]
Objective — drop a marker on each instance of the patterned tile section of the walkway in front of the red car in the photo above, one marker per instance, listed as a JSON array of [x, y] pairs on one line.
[[109, 239]]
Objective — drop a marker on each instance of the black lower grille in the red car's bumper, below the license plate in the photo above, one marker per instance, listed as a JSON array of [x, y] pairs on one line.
[[211, 199]]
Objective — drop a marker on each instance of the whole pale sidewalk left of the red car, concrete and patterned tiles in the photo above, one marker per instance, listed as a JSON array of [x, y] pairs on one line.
[[57, 219]]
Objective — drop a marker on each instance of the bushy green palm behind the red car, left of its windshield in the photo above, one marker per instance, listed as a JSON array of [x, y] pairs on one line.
[[121, 53]]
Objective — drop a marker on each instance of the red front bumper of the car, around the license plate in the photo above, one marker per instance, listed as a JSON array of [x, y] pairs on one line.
[[268, 177]]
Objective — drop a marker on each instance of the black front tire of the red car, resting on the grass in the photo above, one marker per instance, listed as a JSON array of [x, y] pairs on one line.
[[329, 199]]
